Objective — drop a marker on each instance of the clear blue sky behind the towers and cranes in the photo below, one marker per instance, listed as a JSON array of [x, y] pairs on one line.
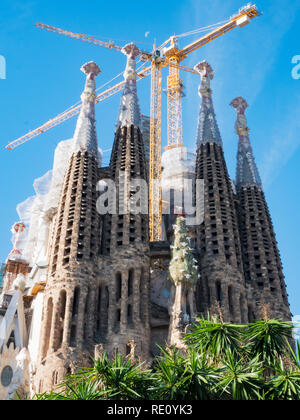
[[43, 79]]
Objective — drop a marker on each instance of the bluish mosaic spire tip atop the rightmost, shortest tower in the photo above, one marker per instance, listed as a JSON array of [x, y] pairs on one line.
[[246, 172]]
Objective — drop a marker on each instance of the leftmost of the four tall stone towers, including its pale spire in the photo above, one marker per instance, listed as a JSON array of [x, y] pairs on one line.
[[67, 324]]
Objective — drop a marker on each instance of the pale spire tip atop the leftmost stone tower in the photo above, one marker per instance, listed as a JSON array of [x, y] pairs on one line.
[[85, 136]]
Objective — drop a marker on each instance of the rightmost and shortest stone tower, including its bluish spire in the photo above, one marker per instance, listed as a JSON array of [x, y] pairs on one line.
[[261, 258]]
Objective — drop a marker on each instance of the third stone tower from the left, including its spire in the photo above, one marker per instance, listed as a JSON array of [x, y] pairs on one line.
[[217, 238]]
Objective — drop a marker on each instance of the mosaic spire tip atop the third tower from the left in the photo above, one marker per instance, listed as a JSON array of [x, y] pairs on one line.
[[208, 130]]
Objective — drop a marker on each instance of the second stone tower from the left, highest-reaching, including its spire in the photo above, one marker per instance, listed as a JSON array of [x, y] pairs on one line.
[[125, 243]]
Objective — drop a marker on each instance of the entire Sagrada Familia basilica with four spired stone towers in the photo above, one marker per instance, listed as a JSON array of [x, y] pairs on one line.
[[79, 282]]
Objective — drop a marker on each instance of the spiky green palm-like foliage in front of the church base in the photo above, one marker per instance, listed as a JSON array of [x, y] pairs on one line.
[[222, 362]]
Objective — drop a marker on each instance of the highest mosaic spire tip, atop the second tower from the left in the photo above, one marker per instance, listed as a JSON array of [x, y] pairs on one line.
[[129, 113]]
